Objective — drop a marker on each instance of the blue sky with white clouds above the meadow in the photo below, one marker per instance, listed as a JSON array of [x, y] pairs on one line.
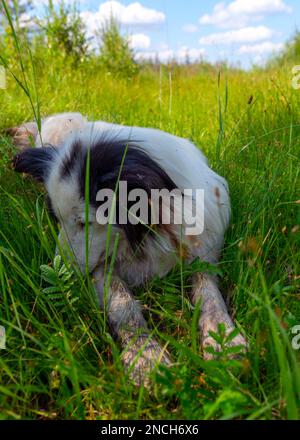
[[242, 32]]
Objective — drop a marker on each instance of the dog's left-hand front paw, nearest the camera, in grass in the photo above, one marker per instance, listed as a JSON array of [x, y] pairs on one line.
[[142, 357]]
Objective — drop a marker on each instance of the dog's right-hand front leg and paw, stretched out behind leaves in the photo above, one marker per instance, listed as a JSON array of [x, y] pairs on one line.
[[213, 312]]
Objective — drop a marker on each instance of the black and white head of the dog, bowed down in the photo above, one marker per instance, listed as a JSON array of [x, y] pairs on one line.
[[64, 172]]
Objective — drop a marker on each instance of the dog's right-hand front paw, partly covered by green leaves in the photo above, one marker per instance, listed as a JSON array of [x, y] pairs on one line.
[[215, 347]]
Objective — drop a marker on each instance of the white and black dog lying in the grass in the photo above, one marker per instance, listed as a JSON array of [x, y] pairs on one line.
[[145, 159]]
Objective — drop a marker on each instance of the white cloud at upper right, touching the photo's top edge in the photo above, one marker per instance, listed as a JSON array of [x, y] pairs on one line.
[[239, 13]]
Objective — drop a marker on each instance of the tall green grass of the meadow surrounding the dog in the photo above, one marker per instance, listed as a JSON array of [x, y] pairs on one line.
[[60, 360]]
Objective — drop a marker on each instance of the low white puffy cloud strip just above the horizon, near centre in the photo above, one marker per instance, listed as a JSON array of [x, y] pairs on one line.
[[166, 55]]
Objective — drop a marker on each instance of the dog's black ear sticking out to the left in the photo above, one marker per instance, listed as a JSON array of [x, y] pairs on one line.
[[35, 161]]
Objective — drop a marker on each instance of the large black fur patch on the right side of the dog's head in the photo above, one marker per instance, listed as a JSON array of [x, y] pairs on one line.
[[139, 170]]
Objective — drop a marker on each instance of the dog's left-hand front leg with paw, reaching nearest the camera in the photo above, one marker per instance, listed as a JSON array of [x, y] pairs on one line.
[[141, 353]]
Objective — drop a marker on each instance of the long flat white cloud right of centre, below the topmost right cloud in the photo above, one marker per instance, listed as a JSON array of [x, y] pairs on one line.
[[244, 35]]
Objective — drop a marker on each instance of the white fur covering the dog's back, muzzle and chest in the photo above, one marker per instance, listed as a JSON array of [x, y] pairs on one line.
[[180, 159]]
